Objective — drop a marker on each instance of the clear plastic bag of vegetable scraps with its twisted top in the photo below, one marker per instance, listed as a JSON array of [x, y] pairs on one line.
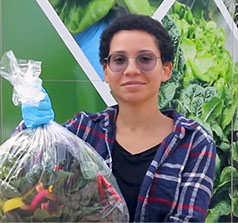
[[48, 174]]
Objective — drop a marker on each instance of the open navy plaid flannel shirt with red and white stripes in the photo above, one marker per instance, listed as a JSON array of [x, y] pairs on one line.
[[178, 184]]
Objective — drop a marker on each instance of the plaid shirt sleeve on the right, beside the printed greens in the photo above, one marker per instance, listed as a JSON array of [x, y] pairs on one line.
[[197, 183]]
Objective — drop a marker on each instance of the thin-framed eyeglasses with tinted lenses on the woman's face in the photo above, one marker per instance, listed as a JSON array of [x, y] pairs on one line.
[[118, 62]]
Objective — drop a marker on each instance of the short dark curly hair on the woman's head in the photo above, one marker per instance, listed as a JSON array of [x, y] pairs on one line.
[[142, 23]]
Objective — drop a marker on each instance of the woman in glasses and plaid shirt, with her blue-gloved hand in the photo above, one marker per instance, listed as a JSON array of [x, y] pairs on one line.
[[164, 163]]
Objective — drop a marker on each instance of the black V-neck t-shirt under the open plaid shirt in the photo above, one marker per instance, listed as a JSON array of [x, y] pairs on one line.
[[129, 171]]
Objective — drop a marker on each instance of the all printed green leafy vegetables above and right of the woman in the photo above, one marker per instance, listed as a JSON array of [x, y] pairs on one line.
[[204, 83]]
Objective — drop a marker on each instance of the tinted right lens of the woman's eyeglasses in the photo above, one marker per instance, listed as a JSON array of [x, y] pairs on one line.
[[146, 61]]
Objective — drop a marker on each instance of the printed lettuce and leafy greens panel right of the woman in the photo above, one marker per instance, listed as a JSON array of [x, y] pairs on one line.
[[207, 92]]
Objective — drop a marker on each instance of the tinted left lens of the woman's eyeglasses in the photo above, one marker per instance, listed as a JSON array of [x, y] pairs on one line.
[[117, 62]]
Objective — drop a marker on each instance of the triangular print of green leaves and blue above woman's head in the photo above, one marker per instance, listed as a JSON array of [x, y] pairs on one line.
[[87, 19]]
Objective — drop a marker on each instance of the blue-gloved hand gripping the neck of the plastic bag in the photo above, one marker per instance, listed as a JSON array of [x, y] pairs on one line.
[[34, 116]]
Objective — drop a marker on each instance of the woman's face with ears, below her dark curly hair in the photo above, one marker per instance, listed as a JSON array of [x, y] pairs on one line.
[[132, 84]]
